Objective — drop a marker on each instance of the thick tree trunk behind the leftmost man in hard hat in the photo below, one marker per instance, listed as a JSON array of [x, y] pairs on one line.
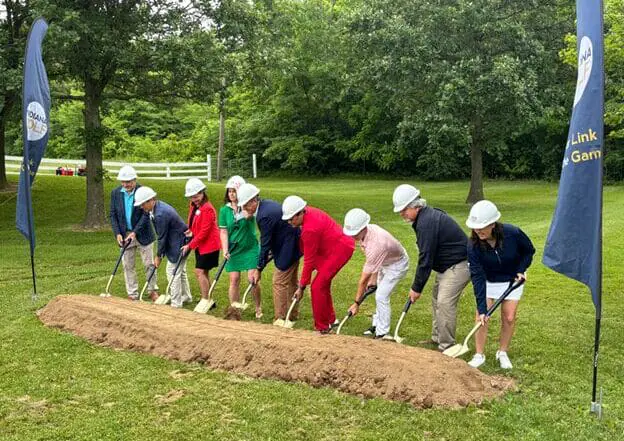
[[95, 216]]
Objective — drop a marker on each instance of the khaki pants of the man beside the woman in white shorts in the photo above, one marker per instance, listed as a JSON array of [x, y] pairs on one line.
[[446, 293]]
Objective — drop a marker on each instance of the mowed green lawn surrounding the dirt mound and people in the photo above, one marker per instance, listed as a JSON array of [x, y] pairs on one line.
[[59, 387]]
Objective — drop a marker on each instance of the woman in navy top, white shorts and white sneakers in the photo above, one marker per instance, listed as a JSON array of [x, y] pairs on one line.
[[497, 254]]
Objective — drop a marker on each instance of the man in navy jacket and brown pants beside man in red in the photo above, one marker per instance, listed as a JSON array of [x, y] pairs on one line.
[[277, 239]]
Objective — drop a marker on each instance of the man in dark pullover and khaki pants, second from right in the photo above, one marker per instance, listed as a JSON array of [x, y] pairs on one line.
[[441, 248]]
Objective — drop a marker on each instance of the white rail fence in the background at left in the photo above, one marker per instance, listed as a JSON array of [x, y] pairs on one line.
[[146, 170]]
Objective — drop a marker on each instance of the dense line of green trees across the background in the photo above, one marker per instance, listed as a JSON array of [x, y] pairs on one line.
[[439, 89]]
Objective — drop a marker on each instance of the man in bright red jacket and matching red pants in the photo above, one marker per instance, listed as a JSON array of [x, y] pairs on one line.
[[325, 249]]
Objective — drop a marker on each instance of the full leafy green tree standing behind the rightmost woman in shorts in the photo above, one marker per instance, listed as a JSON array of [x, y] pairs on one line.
[[463, 76]]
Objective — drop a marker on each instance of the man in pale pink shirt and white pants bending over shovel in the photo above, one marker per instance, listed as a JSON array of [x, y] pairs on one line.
[[386, 265]]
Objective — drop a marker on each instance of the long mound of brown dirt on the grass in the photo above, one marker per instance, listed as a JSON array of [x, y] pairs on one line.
[[367, 368]]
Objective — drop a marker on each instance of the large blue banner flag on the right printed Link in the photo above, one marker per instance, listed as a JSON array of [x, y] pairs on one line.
[[574, 243]]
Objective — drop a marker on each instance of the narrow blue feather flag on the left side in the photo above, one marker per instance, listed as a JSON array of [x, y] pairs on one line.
[[35, 124]]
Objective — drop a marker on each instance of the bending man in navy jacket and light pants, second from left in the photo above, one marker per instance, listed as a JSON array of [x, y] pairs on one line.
[[170, 229]]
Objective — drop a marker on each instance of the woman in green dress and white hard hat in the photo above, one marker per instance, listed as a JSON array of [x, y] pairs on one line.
[[238, 235]]
